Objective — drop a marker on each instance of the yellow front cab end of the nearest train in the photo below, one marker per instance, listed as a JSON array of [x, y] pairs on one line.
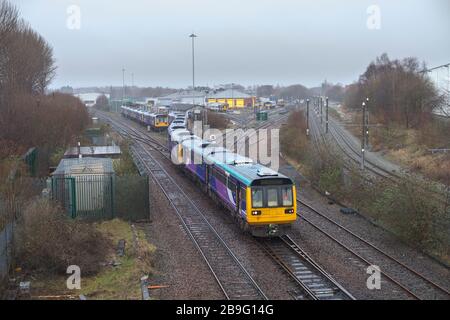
[[271, 207]]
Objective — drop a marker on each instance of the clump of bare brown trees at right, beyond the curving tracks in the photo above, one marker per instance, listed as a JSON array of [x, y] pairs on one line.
[[398, 90]]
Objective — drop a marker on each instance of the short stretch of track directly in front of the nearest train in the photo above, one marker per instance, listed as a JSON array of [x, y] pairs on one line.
[[312, 280]]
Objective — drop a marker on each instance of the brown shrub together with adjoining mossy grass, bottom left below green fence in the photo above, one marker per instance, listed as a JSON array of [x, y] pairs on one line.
[[48, 242]]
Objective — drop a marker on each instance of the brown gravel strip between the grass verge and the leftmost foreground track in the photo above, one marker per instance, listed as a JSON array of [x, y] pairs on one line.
[[179, 264]]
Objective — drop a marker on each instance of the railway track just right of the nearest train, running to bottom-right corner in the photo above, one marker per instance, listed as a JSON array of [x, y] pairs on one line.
[[413, 283]]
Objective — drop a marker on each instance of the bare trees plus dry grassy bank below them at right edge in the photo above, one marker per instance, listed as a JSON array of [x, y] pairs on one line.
[[401, 99]]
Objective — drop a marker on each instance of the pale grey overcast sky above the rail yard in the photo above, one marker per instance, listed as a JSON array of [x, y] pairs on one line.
[[242, 41]]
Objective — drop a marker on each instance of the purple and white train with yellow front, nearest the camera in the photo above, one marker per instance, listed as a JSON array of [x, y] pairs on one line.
[[262, 201]]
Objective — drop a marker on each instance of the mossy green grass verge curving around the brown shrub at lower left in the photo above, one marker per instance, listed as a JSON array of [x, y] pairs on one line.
[[117, 279]]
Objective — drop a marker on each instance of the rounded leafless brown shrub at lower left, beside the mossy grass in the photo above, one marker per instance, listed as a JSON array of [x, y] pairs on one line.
[[47, 241]]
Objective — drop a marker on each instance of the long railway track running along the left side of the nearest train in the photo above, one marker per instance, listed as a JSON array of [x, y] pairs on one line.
[[234, 280]]
